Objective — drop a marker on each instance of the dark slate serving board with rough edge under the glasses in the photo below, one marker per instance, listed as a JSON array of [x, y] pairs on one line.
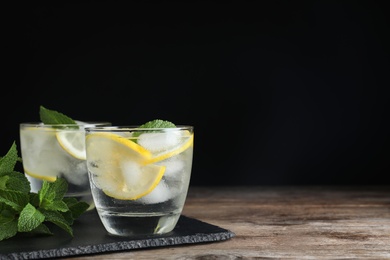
[[90, 237]]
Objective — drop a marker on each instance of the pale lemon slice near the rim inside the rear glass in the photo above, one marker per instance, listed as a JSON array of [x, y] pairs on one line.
[[73, 142]]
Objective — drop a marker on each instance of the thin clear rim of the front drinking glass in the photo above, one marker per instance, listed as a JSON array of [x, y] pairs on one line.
[[122, 128]]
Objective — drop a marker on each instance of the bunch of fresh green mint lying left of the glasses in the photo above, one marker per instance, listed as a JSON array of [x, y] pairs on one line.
[[22, 211]]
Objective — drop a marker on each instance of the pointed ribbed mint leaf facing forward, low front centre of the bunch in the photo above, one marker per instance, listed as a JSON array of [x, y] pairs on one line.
[[29, 219]]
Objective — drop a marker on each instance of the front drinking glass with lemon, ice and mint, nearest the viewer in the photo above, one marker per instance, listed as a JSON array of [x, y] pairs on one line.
[[139, 177]]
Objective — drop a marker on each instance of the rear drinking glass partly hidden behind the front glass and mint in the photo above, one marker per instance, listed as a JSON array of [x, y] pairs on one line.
[[51, 151]]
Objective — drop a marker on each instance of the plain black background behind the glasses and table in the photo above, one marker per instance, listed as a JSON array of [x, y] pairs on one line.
[[279, 92]]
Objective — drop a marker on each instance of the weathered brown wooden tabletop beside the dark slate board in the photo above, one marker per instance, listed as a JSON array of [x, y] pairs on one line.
[[284, 223]]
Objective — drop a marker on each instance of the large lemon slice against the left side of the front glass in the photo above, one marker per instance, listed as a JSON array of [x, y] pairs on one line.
[[118, 166]]
